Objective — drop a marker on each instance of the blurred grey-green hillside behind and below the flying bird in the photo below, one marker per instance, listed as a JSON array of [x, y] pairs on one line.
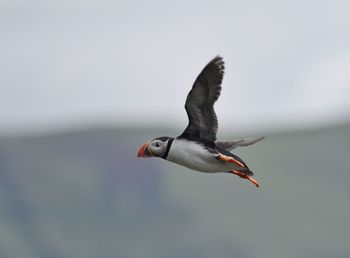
[[85, 194]]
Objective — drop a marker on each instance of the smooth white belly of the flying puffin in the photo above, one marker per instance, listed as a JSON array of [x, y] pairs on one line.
[[196, 157]]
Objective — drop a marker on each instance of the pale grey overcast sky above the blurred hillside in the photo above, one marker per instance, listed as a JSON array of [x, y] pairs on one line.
[[71, 63]]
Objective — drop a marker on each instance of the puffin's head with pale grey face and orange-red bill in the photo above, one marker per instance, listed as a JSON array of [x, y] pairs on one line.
[[154, 148]]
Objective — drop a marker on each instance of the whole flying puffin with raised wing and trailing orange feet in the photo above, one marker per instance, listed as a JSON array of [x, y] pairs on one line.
[[196, 148]]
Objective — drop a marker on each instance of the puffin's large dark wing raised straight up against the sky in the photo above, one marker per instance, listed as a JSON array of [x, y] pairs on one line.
[[199, 106]]
